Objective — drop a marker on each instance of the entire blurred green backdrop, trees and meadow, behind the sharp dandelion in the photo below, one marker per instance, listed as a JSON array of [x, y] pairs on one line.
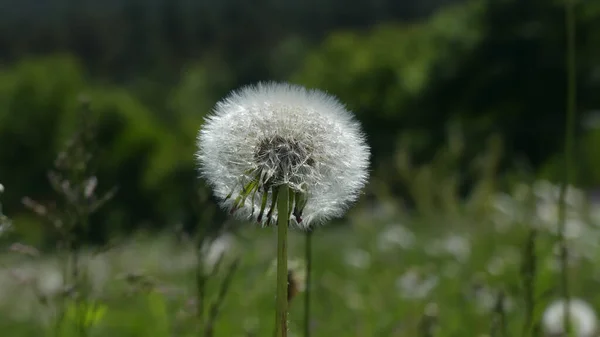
[[463, 103]]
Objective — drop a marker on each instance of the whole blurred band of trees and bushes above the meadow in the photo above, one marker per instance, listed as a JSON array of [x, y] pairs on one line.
[[410, 70]]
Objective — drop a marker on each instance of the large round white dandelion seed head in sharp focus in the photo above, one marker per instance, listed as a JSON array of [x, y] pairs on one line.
[[268, 135]]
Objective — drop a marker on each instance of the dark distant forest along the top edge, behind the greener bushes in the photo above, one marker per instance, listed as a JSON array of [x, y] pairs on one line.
[[122, 39]]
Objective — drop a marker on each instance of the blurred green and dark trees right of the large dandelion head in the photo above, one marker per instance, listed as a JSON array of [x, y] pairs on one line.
[[467, 64]]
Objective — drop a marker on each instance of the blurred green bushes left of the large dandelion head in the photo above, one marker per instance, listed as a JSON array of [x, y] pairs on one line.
[[135, 151]]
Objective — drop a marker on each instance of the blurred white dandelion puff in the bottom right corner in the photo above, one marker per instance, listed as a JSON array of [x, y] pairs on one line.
[[583, 318]]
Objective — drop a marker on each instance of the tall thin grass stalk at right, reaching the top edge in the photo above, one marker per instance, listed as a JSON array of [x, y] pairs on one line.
[[569, 147]]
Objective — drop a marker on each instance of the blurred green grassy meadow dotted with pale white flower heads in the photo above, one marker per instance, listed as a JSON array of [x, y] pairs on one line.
[[479, 271]]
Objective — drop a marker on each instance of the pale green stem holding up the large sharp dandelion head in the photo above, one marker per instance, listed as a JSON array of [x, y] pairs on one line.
[[282, 269]]
